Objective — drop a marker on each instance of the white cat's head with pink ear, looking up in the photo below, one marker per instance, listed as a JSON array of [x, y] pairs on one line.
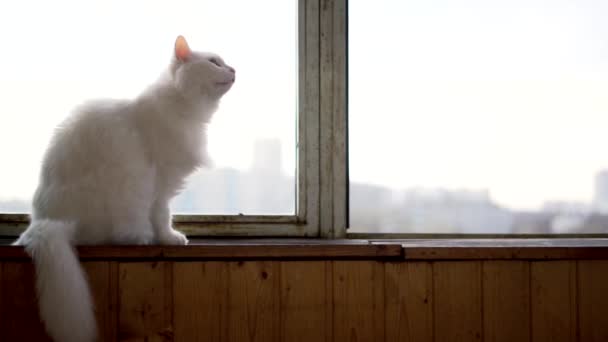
[[200, 75]]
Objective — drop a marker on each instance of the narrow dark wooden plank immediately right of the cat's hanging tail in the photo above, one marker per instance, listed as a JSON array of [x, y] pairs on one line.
[[102, 282]]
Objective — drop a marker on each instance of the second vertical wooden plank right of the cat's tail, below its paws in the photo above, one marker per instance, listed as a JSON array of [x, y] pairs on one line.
[[145, 301]]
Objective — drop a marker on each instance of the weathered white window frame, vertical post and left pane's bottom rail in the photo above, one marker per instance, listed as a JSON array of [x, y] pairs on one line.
[[322, 182]]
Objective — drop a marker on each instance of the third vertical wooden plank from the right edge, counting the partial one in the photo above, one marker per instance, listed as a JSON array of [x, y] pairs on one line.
[[506, 301]]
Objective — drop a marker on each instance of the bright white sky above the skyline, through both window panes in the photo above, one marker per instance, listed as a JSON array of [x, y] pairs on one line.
[[509, 96]]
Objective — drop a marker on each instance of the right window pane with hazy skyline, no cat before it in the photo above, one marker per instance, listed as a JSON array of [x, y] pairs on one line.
[[478, 116]]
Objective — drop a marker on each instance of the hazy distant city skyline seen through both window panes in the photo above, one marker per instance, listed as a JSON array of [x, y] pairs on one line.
[[264, 189]]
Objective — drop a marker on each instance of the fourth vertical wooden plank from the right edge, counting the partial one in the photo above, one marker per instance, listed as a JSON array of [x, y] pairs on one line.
[[457, 301]]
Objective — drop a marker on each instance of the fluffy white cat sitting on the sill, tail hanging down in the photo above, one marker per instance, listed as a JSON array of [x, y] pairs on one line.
[[107, 178]]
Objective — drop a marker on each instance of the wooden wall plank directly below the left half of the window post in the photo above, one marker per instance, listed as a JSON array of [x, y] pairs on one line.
[[306, 313]]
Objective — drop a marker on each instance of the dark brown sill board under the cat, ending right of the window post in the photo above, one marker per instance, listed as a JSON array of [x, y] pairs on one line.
[[235, 250]]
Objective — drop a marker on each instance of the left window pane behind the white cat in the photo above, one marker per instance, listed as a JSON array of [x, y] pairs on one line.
[[56, 54]]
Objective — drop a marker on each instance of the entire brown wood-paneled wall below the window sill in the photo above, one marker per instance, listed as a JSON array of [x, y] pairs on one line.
[[336, 300]]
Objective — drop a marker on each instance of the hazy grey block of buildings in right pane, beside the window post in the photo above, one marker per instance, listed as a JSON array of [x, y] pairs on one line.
[[380, 209]]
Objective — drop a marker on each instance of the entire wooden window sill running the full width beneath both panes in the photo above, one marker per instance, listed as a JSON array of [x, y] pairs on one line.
[[314, 249]]
